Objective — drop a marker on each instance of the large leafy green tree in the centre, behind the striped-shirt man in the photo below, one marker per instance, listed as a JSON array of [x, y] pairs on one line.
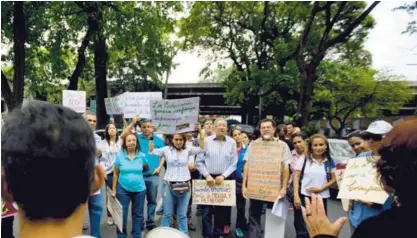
[[257, 37]]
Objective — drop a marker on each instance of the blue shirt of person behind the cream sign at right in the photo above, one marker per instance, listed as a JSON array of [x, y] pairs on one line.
[[362, 211]]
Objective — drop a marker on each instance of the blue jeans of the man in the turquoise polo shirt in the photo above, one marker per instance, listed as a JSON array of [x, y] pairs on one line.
[[151, 183]]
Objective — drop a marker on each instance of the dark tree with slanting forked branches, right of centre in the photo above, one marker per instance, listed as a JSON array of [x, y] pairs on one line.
[[330, 24]]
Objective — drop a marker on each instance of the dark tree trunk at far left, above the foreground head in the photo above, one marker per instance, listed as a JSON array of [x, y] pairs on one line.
[[19, 38]]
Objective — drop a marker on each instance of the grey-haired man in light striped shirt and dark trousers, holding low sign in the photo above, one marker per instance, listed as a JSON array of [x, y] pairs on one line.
[[217, 163]]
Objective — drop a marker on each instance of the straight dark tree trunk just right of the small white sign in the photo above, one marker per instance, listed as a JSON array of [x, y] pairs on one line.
[[100, 68]]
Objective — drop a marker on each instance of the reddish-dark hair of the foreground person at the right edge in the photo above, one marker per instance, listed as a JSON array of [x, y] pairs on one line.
[[397, 167]]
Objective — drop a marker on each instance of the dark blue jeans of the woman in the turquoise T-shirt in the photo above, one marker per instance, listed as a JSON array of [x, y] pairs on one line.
[[138, 203]]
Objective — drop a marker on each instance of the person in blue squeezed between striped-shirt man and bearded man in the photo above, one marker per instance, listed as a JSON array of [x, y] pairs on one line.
[[241, 221]]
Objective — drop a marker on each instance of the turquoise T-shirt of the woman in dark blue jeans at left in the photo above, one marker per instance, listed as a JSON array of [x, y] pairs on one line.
[[131, 171]]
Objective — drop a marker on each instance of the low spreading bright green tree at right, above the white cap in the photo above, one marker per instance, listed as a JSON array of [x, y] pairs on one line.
[[345, 92]]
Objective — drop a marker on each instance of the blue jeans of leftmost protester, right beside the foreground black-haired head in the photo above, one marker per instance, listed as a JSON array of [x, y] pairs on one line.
[[95, 210]]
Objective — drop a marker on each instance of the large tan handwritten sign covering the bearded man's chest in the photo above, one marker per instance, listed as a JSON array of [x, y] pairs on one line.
[[264, 175]]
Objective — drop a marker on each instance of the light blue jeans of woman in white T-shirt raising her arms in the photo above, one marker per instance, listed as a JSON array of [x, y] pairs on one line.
[[181, 202]]
